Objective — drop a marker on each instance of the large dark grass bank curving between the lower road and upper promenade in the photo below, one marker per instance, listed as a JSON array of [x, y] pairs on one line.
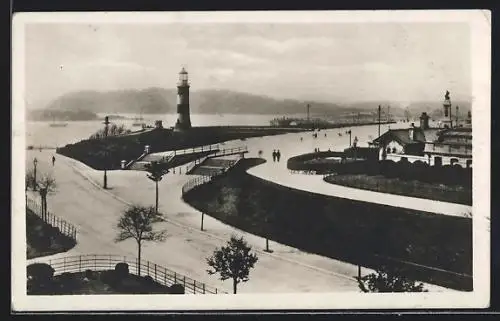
[[348, 230]]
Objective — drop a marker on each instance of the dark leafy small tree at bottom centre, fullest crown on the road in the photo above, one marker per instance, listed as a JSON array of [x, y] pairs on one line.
[[233, 261]]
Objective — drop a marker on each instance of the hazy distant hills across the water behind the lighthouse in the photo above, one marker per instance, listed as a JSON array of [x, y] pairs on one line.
[[160, 100]]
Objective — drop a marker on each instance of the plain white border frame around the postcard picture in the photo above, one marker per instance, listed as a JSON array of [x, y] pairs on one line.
[[480, 32]]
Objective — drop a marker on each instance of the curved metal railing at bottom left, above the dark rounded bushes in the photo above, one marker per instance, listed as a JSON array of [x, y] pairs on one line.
[[102, 262]]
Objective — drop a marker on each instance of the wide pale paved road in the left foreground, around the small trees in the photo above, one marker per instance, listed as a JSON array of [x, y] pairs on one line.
[[94, 212]]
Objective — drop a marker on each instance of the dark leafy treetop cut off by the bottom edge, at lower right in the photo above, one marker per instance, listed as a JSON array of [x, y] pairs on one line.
[[386, 280]]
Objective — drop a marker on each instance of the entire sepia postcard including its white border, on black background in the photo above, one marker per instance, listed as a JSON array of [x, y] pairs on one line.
[[251, 160]]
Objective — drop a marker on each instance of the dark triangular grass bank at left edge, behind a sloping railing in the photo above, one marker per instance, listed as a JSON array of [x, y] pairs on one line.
[[43, 239]]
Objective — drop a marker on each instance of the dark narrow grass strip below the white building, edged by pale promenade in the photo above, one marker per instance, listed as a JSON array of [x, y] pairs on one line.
[[414, 188]]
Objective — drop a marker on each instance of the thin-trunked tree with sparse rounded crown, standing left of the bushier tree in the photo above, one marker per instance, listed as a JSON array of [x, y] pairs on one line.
[[137, 223]]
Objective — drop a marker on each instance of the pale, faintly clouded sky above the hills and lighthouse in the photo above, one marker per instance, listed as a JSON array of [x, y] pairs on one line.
[[333, 62]]
